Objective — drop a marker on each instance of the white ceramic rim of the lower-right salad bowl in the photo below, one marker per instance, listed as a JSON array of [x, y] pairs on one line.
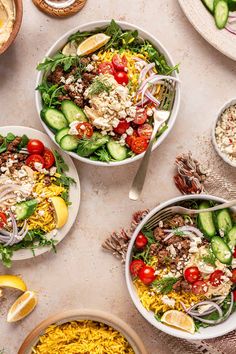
[[204, 333]]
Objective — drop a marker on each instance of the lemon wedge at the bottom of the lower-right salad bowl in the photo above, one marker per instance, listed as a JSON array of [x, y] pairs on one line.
[[179, 320]]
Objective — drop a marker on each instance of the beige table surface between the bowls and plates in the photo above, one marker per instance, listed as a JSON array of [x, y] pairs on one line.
[[81, 275]]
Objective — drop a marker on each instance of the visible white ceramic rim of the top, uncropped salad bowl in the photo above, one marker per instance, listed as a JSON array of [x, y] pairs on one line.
[[91, 26]]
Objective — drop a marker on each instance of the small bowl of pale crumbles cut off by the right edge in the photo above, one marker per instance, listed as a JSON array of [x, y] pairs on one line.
[[224, 133]]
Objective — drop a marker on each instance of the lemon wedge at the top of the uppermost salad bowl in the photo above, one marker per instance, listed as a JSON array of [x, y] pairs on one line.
[[91, 44]]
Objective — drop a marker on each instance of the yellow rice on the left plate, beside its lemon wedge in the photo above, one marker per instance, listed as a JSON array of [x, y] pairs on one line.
[[44, 218]]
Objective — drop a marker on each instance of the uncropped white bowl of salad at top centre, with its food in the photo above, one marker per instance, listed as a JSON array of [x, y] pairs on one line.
[[92, 95]]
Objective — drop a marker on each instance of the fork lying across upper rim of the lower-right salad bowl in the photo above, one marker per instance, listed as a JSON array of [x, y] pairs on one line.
[[166, 213]]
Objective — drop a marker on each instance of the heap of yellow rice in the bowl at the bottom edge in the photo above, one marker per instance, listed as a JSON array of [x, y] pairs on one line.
[[82, 337]]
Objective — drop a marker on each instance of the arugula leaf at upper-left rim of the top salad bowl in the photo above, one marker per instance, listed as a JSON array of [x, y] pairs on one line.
[[50, 64]]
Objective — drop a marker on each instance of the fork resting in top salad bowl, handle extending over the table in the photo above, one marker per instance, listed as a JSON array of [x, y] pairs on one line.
[[160, 116]]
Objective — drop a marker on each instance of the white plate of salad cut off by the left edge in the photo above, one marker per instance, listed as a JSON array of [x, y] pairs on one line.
[[39, 194]]
